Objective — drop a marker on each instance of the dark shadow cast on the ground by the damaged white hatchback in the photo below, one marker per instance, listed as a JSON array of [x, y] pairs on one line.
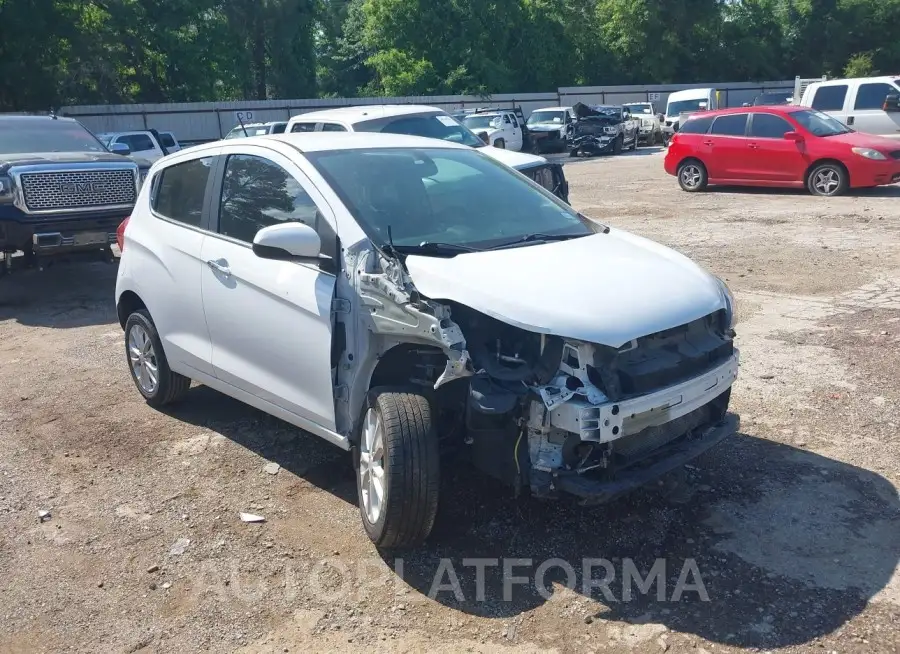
[[773, 546]]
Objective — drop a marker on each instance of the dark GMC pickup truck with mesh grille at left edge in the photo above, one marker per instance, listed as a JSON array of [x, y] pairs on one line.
[[62, 193]]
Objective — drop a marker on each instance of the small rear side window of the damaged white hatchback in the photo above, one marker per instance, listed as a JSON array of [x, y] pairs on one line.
[[180, 190]]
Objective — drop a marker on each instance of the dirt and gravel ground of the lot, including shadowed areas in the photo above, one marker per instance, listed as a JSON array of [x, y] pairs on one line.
[[793, 525]]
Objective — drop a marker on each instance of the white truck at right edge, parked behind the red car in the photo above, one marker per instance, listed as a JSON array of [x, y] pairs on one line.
[[866, 104]]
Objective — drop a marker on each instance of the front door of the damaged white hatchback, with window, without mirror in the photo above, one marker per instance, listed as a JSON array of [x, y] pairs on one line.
[[269, 321]]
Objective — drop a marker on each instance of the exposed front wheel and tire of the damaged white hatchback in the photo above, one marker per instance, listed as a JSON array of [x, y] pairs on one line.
[[397, 468]]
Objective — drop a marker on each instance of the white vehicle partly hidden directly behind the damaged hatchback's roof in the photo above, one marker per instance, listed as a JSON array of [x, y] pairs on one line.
[[430, 122]]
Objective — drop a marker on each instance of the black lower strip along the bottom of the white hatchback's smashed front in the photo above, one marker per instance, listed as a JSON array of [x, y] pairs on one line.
[[666, 459]]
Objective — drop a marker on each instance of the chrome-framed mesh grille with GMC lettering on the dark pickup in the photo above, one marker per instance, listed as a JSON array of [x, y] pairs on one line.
[[46, 191]]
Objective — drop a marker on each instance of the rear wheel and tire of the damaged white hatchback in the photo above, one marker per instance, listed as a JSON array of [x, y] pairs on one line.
[[148, 364]]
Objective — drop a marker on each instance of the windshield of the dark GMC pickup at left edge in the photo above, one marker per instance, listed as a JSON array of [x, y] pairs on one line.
[[37, 135]]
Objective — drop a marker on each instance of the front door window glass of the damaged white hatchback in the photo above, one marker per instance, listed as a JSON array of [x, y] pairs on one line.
[[257, 193]]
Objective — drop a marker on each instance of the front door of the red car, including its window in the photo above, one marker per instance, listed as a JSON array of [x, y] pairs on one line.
[[768, 155]]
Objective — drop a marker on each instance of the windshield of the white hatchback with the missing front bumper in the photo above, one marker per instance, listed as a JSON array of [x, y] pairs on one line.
[[452, 196]]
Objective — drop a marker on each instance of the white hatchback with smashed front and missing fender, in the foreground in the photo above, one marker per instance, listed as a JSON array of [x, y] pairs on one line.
[[401, 296]]
